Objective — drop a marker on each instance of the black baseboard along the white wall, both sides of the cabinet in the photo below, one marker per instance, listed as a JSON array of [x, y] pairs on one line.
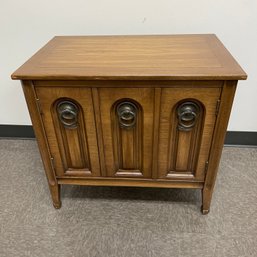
[[26, 131]]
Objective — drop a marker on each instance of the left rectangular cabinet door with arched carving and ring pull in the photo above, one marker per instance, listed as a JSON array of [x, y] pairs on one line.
[[68, 118]]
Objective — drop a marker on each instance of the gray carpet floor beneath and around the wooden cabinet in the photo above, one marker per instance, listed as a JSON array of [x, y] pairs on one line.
[[112, 221]]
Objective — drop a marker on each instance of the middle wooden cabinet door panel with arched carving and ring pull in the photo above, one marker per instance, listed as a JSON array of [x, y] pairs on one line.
[[127, 126]]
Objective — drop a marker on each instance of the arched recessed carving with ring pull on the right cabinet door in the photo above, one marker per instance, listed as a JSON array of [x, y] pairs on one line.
[[187, 118]]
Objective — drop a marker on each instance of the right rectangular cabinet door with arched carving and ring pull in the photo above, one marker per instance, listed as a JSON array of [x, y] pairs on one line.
[[187, 122]]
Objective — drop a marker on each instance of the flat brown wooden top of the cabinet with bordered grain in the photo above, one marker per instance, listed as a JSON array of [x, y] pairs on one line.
[[162, 57]]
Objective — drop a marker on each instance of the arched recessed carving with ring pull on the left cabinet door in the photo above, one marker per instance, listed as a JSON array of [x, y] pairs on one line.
[[70, 130]]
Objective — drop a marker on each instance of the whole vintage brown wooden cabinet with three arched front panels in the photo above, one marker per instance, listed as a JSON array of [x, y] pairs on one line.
[[148, 111]]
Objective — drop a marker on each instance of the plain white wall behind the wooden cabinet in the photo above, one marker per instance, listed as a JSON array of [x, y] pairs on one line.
[[27, 25]]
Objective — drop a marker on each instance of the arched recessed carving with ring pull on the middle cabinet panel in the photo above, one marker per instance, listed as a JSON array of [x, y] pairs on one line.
[[127, 129]]
